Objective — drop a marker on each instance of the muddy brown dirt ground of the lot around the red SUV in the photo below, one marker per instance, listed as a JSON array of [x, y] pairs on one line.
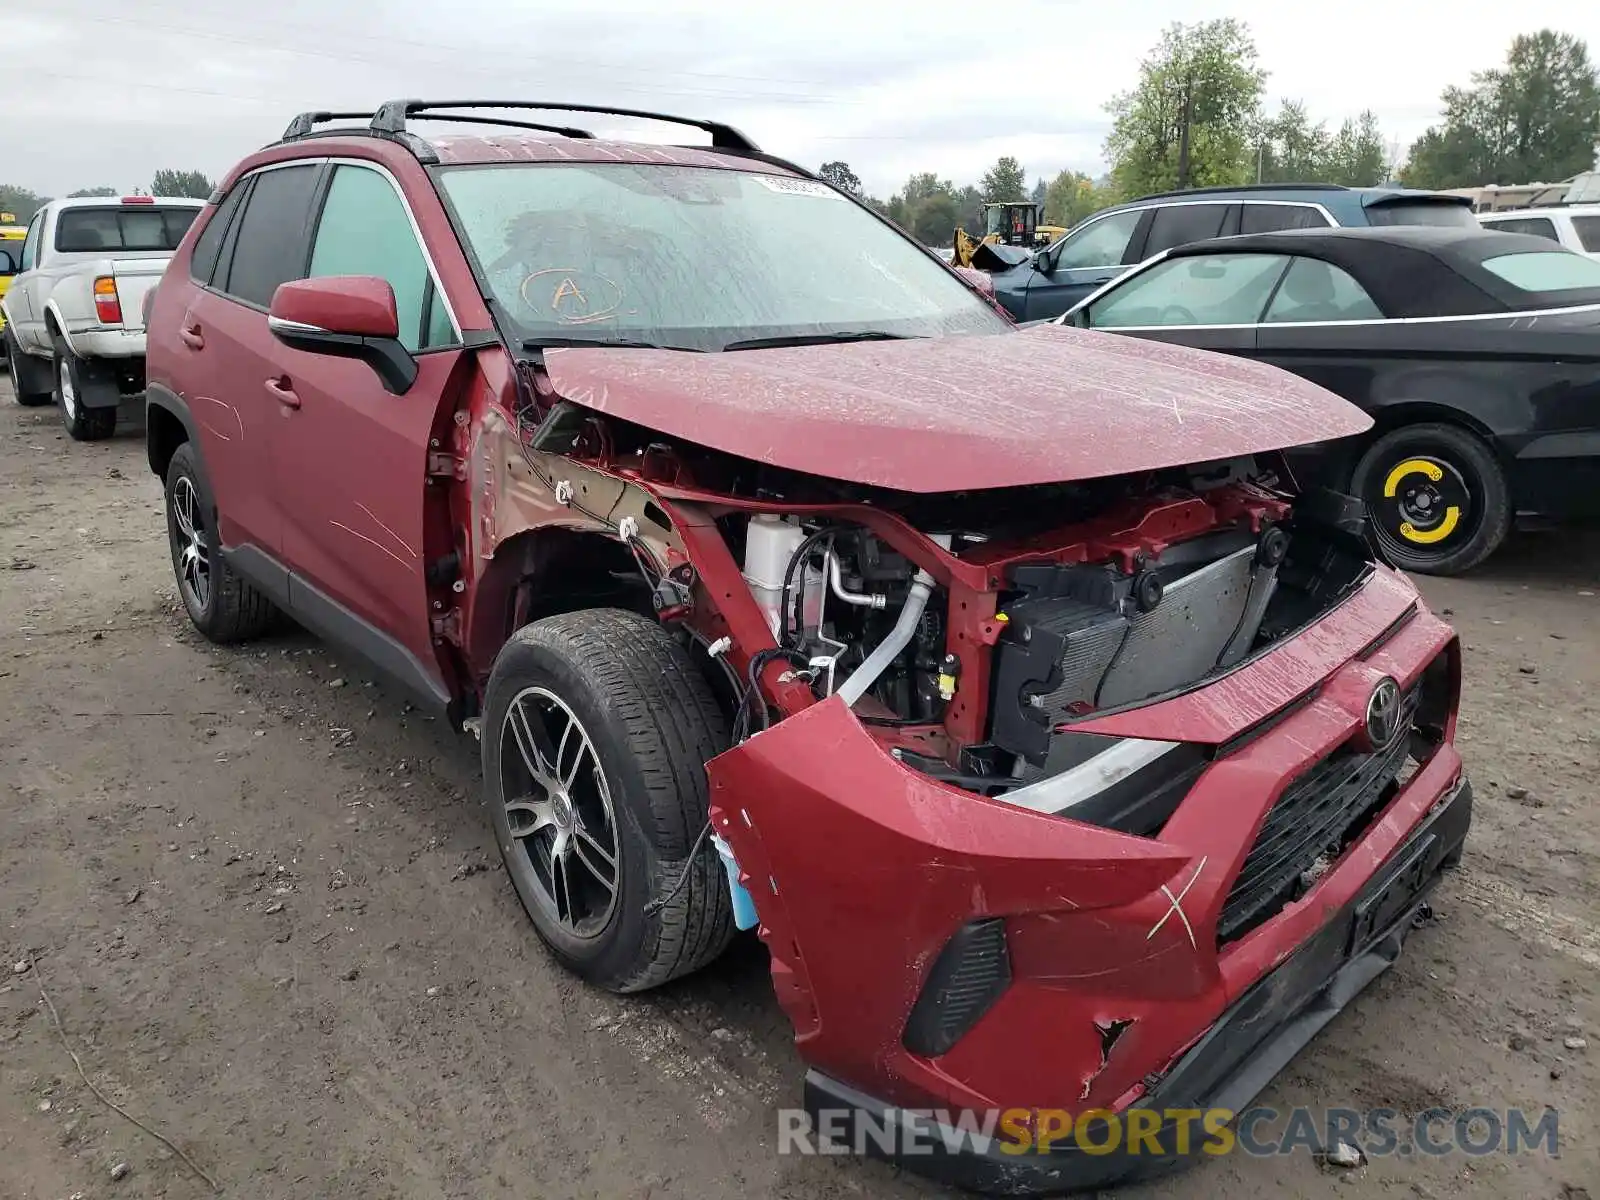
[[263, 898]]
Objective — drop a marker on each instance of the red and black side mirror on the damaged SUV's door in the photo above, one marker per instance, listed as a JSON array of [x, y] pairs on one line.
[[350, 318]]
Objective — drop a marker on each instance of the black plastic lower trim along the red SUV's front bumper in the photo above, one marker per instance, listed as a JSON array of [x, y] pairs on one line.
[[1226, 1068]]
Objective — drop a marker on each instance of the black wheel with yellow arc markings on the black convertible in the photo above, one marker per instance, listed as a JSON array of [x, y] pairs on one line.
[[1436, 497]]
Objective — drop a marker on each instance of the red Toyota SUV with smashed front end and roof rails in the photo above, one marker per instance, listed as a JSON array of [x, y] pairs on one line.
[[1063, 754]]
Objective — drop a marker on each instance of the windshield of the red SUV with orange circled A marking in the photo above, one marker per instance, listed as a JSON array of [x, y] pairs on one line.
[[697, 258]]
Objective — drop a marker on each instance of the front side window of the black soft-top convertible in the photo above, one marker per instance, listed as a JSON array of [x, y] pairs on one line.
[[1210, 290]]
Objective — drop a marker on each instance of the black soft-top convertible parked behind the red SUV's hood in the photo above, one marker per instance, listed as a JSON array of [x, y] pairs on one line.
[[1478, 356]]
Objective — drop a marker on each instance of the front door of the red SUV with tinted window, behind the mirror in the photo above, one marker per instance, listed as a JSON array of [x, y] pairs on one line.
[[353, 457]]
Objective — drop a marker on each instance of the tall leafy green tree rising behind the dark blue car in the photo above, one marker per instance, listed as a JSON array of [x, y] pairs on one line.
[[1194, 116]]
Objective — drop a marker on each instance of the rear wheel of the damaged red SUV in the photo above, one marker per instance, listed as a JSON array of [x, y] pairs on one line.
[[222, 606]]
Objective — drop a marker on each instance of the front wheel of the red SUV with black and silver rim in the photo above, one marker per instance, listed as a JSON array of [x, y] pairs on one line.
[[596, 735]]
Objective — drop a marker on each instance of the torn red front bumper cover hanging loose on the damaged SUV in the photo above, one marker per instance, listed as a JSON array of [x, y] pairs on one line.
[[863, 871]]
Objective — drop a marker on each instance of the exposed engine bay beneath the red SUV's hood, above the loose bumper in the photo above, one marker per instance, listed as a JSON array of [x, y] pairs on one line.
[[969, 633]]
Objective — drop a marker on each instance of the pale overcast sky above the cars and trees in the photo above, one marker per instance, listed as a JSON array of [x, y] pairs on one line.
[[105, 92]]
